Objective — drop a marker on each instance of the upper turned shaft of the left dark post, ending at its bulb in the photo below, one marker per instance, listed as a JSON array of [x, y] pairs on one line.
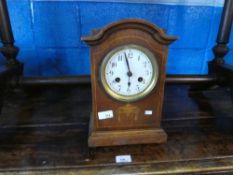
[[9, 51]]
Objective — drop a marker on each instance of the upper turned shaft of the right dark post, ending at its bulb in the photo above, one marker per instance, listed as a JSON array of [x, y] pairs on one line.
[[221, 49]]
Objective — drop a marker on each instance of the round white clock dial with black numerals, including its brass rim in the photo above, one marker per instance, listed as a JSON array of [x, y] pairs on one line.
[[129, 72]]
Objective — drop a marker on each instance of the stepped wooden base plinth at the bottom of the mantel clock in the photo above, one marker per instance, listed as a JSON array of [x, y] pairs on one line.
[[126, 137]]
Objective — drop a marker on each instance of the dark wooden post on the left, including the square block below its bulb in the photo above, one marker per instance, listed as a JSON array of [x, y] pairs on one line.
[[12, 71]]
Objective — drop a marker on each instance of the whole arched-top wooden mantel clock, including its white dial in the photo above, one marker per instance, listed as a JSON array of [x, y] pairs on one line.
[[128, 70]]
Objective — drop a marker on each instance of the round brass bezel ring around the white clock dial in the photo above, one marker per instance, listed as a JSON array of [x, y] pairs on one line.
[[140, 95]]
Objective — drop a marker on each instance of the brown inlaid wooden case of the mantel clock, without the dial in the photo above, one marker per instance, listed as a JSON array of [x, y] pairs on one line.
[[129, 124]]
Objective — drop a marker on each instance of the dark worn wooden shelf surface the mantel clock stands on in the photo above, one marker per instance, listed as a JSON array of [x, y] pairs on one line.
[[44, 131]]
